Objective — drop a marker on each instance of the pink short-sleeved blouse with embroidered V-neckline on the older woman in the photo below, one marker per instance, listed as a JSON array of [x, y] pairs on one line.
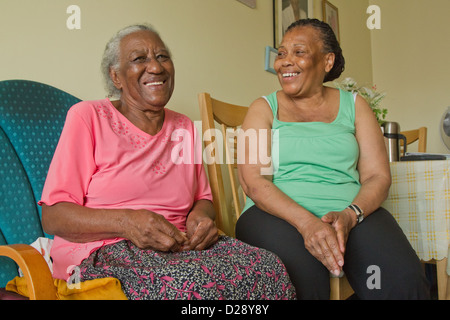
[[103, 161]]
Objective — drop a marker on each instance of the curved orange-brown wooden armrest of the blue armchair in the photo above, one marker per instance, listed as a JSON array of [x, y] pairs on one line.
[[35, 269]]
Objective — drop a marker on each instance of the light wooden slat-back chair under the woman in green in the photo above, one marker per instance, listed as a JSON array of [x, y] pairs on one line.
[[230, 117]]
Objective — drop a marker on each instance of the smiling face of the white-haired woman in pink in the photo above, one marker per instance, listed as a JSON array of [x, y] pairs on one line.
[[146, 72]]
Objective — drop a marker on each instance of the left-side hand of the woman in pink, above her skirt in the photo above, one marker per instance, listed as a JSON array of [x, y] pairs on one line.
[[149, 230]]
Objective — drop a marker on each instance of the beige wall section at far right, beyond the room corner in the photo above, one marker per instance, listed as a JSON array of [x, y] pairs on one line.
[[411, 63]]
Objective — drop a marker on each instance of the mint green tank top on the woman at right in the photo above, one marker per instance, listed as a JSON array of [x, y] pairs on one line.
[[315, 163]]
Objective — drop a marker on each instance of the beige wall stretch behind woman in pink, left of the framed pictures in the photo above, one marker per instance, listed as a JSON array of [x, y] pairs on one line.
[[218, 45]]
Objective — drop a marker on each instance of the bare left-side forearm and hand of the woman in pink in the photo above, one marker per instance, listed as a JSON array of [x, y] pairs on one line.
[[144, 228]]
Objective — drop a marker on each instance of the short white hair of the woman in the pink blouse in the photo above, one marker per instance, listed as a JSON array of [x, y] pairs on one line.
[[112, 53]]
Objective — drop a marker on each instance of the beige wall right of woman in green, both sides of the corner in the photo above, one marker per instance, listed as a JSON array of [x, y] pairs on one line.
[[407, 58]]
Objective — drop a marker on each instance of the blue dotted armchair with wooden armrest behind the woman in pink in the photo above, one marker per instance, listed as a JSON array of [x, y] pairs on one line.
[[32, 115]]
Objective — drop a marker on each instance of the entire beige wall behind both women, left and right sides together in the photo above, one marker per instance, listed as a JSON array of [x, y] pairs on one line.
[[218, 46]]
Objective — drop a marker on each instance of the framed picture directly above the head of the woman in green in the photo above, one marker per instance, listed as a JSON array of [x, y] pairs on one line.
[[286, 12]]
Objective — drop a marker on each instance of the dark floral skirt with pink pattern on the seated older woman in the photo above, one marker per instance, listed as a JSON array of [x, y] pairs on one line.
[[230, 270]]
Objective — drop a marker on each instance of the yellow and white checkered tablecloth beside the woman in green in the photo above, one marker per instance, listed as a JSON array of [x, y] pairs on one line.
[[419, 199]]
